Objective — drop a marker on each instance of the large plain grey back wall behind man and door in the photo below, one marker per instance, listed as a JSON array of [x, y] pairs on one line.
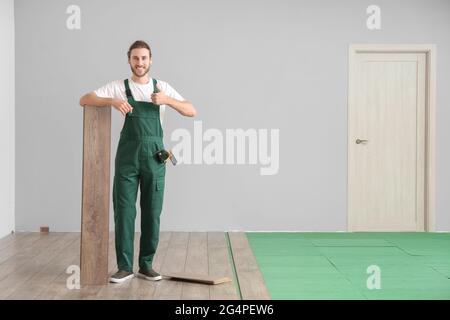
[[244, 64]]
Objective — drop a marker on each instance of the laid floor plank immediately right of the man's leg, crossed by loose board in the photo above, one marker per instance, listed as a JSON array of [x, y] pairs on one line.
[[175, 261]]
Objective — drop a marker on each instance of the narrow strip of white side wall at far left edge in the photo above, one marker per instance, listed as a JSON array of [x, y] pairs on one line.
[[7, 97]]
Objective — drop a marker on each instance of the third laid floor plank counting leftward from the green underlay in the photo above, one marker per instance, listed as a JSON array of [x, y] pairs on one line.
[[196, 263]]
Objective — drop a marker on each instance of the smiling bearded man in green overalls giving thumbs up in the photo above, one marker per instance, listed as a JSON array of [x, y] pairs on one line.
[[142, 100]]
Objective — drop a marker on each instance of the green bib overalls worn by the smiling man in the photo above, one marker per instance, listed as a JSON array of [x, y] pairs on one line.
[[141, 137]]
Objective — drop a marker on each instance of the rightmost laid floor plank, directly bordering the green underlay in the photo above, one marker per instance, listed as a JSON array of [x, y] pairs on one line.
[[250, 279]]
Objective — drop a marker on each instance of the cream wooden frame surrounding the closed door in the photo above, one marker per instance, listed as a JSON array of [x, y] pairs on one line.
[[430, 119]]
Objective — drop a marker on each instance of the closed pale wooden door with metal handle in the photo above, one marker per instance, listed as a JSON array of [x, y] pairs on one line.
[[386, 142]]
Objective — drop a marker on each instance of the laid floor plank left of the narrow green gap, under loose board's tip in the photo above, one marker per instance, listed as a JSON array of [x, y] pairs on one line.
[[219, 265]]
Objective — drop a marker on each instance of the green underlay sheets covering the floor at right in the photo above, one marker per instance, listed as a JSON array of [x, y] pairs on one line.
[[328, 265]]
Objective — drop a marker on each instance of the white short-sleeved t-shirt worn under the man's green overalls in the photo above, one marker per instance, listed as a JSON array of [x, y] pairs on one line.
[[140, 92]]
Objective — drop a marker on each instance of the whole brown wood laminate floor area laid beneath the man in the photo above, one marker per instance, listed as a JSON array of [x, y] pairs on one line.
[[33, 266]]
